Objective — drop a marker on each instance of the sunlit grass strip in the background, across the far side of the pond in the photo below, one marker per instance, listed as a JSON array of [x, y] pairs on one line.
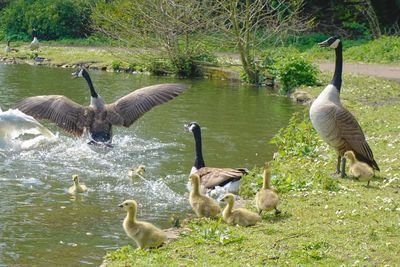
[[69, 53]]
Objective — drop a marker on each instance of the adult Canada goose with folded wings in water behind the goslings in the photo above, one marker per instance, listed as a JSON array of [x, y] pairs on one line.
[[227, 178]]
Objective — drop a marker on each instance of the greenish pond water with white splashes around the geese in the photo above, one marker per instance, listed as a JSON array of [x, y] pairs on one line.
[[41, 224]]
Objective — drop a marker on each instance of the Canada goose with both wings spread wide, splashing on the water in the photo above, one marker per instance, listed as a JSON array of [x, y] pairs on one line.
[[98, 118]]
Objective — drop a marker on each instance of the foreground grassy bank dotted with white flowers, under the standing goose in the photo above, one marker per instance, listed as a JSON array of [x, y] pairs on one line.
[[325, 220]]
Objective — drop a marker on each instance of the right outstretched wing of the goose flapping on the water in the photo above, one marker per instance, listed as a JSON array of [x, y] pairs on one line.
[[131, 107]]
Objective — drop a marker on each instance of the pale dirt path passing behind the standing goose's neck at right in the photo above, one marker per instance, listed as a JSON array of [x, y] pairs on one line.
[[385, 71]]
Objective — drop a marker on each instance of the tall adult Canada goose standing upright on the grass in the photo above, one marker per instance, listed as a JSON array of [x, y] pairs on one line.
[[334, 123]]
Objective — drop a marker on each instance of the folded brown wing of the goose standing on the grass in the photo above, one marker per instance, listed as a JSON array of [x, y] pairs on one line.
[[352, 133]]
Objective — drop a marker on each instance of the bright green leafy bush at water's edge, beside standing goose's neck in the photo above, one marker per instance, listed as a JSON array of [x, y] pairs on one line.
[[291, 70]]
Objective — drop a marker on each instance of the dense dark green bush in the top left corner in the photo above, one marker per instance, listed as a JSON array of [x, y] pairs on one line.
[[46, 19]]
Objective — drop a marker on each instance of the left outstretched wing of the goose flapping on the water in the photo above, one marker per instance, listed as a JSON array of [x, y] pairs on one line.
[[67, 114]]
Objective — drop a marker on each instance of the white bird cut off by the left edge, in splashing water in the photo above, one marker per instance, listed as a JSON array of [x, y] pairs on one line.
[[14, 123]]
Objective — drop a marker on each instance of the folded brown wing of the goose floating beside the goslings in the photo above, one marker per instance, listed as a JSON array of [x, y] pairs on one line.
[[212, 177]]
